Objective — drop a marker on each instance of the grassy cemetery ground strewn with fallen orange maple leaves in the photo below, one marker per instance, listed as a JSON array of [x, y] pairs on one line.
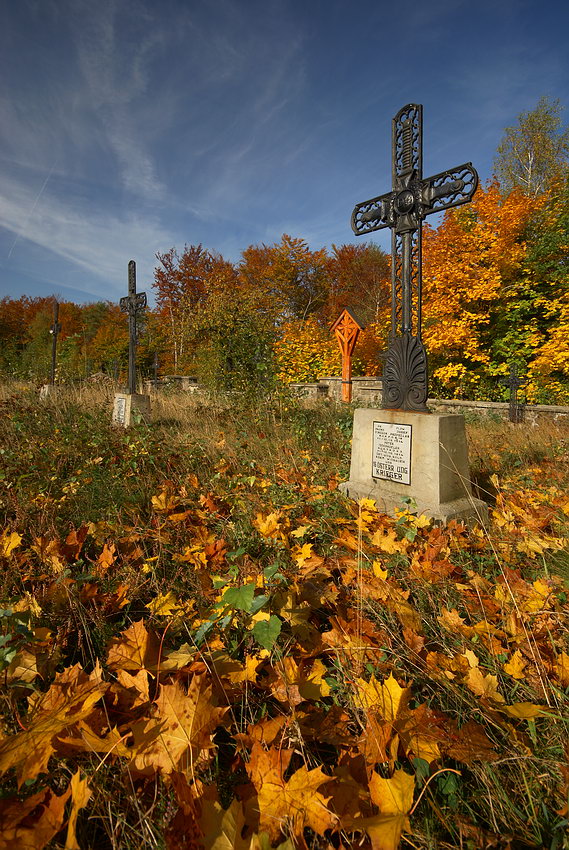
[[203, 644]]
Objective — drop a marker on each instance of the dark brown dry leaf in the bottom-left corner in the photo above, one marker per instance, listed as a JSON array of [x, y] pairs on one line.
[[30, 824]]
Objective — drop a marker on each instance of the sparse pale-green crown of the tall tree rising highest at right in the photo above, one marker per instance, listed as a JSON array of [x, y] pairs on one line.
[[533, 154]]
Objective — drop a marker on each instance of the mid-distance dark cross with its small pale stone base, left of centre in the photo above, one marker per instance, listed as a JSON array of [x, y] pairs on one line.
[[130, 405]]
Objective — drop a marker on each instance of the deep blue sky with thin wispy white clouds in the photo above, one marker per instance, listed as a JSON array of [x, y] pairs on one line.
[[131, 126]]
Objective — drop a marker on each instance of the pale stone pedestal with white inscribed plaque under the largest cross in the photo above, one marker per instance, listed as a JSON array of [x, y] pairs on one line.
[[399, 455]]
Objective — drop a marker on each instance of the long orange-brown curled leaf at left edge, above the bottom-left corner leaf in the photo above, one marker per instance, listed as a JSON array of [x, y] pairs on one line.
[[71, 698]]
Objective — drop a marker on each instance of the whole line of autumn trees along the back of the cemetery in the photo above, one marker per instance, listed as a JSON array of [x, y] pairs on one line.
[[495, 291]]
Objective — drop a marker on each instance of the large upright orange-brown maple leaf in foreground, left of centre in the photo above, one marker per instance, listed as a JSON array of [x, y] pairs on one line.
[[180, 732]]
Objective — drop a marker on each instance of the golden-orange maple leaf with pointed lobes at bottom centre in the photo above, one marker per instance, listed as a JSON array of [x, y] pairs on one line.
[[296, 802]]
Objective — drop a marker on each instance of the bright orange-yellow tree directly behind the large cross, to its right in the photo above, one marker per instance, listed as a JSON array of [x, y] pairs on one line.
[[472, 266]]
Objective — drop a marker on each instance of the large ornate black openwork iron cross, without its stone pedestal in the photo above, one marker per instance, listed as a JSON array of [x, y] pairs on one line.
[[412, 198]]
